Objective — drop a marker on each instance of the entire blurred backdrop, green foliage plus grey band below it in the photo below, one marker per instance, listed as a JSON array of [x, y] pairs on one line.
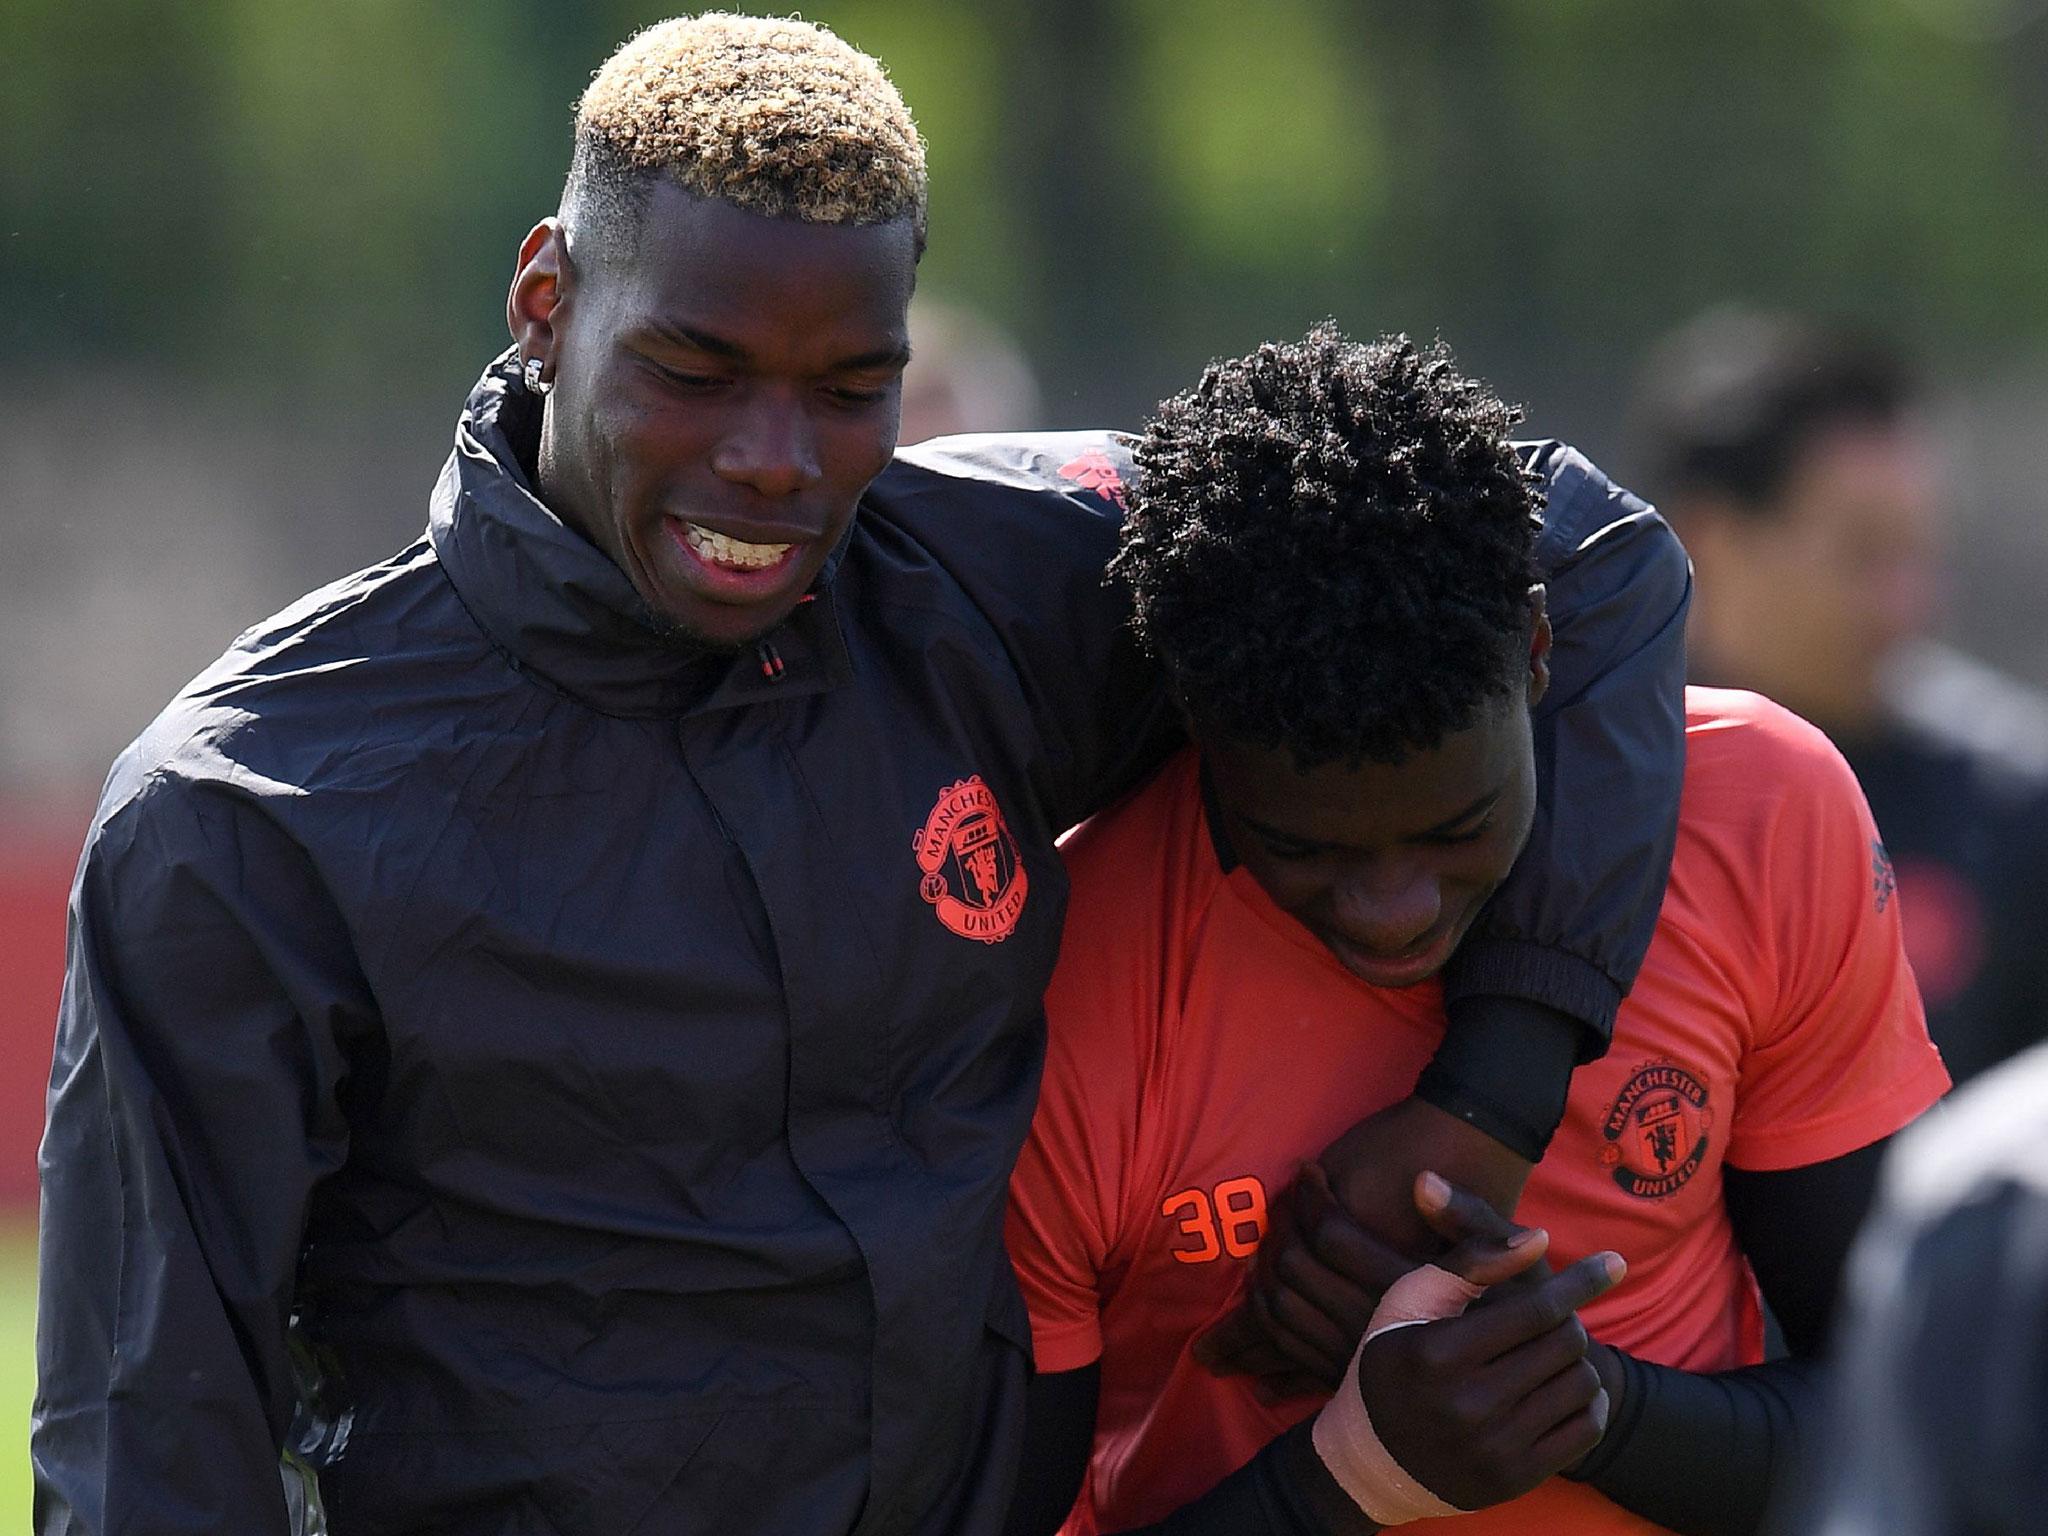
[[255, 251]]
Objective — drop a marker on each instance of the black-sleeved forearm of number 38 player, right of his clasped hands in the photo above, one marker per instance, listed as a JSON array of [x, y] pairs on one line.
[[1703, 1453]]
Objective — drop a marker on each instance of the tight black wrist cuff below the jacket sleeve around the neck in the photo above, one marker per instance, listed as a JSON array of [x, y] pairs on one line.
[[1504, 1068]]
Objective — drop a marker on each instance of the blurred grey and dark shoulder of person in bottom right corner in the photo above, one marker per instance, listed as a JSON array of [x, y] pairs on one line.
[[1943, 1394]]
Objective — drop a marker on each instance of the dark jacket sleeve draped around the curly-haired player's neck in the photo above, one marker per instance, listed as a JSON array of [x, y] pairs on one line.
[[1576, 916]]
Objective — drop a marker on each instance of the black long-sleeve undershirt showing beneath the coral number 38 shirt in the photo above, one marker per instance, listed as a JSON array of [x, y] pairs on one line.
[[1699, 1453]]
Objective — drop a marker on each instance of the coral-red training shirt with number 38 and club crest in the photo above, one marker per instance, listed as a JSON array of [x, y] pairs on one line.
[[1203, 1046]]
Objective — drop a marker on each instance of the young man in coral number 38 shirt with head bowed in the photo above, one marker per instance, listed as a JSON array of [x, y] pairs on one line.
[[1330, 550]]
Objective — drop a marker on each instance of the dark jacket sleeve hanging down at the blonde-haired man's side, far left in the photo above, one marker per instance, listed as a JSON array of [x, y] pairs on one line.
[[191, 1111]]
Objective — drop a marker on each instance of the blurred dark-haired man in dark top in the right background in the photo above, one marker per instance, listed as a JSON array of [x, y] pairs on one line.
[[1799, 470]]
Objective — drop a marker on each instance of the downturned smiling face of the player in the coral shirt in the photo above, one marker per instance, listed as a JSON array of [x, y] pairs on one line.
[[1390, 863]]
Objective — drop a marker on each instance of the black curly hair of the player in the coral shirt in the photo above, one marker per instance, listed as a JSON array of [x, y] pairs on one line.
[[1332, 548]]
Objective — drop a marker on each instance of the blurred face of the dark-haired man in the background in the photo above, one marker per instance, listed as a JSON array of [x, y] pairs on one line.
[[1809, 597]]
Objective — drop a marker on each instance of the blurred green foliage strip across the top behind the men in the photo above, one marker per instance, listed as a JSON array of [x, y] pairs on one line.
[[323, 200]]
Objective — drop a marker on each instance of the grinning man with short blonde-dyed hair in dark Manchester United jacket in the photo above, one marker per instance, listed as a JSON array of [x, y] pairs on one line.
[[552, 1017]]
